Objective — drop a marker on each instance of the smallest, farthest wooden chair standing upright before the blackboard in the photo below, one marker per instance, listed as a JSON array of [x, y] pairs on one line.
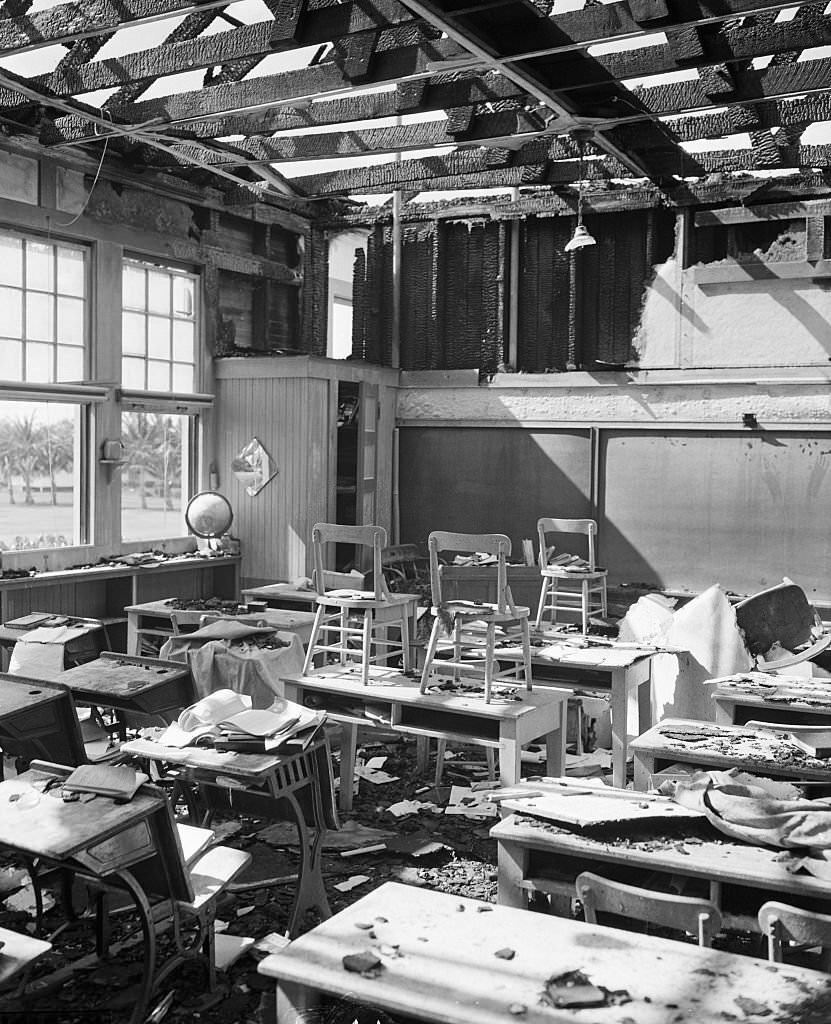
[[582, 589]]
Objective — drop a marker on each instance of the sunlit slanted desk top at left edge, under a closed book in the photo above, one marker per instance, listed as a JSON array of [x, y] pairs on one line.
[[41, 825]]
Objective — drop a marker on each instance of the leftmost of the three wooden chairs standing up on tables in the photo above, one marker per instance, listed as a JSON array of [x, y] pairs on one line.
[[378, 610]]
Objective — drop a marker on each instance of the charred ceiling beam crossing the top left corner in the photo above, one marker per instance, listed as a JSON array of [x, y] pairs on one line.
[[71, 22]]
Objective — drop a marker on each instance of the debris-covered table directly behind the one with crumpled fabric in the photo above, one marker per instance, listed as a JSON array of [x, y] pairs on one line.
[[707, 745]]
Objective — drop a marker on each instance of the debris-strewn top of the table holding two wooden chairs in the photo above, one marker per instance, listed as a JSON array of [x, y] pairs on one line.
[[389, 687]]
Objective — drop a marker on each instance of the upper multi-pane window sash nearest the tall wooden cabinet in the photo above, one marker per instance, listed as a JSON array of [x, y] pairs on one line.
[[159, 329]]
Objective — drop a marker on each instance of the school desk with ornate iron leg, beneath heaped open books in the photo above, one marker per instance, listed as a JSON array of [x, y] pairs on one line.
[[265, 786]]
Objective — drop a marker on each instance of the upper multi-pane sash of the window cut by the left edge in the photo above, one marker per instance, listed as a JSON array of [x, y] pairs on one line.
[[43, 297]]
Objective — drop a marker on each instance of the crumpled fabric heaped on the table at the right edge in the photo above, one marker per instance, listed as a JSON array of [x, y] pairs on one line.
[[760, 812]]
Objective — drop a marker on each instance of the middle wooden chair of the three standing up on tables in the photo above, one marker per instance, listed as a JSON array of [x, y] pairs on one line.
[[465, 620]]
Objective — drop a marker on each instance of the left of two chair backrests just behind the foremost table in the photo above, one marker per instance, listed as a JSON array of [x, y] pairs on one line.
[[698, 917]]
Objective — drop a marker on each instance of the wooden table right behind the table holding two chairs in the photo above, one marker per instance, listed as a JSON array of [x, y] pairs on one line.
[[624, 671]]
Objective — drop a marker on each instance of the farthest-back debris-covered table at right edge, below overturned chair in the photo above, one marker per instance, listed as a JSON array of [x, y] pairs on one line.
[[766, 698]]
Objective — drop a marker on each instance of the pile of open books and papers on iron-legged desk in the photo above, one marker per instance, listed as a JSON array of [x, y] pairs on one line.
[[226, 720]]
